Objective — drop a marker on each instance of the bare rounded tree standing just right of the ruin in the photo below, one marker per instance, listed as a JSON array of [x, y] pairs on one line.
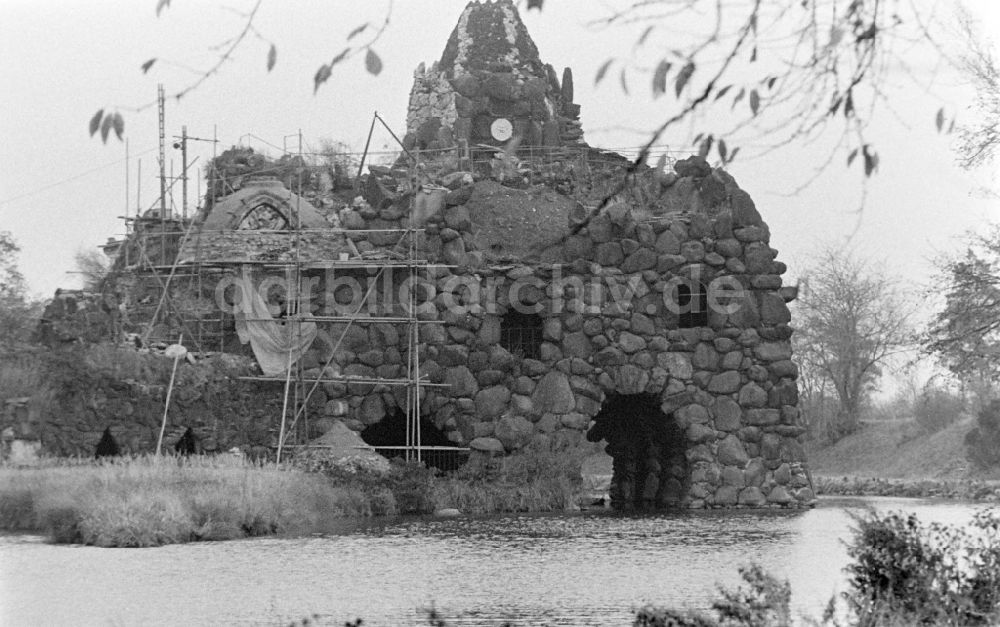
[[851, 320]]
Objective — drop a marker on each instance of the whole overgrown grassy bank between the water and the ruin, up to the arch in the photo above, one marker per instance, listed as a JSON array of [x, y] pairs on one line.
[[149, 501]]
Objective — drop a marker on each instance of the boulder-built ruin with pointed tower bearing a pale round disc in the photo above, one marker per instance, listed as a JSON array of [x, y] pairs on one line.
[[562, 297]]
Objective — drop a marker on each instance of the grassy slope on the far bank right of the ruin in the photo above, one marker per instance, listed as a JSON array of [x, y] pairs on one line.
[[892, 450]]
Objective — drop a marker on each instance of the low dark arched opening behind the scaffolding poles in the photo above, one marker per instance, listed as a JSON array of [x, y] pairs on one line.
[[388, 436]]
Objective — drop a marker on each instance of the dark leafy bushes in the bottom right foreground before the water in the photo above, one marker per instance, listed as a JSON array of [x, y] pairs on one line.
[[902, 574]]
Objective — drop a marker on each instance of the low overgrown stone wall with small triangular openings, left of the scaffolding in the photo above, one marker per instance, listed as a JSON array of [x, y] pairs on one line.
[[90, 388]]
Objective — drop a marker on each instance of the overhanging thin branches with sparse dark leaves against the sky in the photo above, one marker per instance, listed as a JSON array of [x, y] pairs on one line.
[[767, 72]]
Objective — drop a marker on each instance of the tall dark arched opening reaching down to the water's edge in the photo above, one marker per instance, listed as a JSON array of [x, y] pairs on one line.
[[647, 450]]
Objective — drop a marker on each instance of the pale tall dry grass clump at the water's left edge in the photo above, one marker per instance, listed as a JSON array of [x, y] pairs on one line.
[[150, 501]]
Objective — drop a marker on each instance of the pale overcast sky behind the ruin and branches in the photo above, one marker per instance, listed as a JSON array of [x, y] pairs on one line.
[[62, 191]]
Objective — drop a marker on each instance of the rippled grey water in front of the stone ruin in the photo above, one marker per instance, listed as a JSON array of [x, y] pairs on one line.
[[532, 570]]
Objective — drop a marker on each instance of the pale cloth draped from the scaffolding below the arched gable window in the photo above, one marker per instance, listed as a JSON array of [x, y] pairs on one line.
[[277, 344]]
